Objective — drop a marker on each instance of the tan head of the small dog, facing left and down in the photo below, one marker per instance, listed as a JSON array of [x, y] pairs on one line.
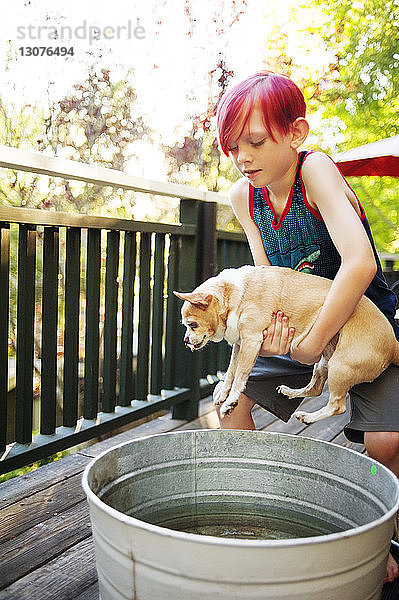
[[200, 315]]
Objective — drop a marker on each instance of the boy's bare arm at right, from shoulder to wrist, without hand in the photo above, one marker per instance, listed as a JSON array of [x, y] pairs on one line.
[[325, 188]]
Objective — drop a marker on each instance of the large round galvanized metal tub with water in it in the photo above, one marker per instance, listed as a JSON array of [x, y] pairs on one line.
[[164, 477]]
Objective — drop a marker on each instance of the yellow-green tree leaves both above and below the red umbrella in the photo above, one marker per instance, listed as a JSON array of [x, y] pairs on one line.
[[360, 90]]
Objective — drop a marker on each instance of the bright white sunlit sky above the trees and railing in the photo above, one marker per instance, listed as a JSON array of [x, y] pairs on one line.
[[180, 43]]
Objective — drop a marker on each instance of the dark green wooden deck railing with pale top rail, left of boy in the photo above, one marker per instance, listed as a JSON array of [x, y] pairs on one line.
[[99, 342]]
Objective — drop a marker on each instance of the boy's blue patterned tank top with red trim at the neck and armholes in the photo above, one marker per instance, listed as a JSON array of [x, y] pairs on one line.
[[299, 239]]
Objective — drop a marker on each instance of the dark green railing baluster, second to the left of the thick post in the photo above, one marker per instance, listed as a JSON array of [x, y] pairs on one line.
[[157, 315]]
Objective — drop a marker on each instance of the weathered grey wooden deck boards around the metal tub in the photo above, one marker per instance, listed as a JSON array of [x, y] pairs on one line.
[[46, 547]]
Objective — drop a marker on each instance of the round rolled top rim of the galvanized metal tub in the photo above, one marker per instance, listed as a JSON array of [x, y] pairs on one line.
[[240, 543]]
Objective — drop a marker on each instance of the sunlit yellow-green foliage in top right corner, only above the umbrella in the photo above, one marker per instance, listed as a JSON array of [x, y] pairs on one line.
[[361, 86]]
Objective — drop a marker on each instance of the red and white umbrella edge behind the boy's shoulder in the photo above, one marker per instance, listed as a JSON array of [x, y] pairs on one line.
[[378, 158]]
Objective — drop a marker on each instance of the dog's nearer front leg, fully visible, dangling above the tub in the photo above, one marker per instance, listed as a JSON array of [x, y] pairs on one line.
[[248, 352]]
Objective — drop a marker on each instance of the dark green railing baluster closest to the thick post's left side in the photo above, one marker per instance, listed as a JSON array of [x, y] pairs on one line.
[[172, 315]]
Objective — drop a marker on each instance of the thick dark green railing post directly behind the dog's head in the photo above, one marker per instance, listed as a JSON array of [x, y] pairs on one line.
[[196, 260]]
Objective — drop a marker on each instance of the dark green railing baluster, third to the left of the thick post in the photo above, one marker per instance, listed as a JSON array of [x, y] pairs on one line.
[[144, 317]]
